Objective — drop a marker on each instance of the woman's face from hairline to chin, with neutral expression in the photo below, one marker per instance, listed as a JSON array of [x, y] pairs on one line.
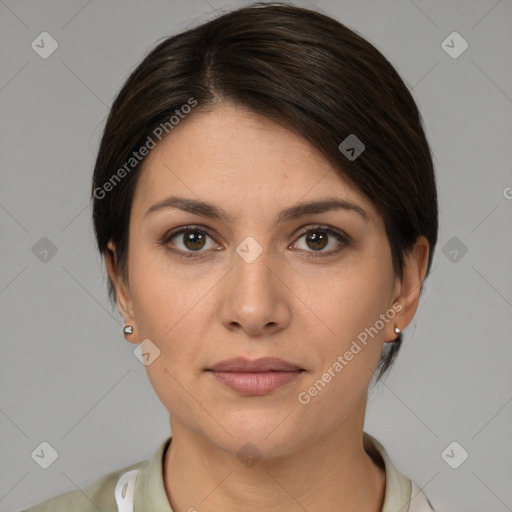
[[268, 278]]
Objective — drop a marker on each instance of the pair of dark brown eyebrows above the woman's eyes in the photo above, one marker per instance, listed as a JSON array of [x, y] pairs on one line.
[[205, 209]]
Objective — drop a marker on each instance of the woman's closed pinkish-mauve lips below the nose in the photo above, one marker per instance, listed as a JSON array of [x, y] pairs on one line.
[[256, 377]]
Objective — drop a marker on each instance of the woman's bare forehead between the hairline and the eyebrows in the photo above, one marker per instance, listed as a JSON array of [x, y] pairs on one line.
[[236, 157]]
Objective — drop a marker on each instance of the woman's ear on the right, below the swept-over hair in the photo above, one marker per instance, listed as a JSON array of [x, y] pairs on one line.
[[409, 287]]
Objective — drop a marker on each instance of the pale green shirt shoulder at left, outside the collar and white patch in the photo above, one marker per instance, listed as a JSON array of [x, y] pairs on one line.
[[98, 495]]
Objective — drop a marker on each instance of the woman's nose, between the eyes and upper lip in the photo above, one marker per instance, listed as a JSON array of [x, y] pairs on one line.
[[254, 298]]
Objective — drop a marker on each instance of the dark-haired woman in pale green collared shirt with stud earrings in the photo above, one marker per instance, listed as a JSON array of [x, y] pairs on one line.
[[265, 200]]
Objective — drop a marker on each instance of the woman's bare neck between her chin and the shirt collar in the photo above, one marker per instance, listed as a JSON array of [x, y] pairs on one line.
[[333, 473]]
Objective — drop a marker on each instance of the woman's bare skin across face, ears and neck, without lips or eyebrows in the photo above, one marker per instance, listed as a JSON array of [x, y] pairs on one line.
[[306, 310]]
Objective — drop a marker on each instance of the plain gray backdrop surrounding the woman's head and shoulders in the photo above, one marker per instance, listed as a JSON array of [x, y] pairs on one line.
[[68, 377]]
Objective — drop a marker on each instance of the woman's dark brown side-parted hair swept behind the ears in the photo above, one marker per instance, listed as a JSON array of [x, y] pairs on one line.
[[305, 71]]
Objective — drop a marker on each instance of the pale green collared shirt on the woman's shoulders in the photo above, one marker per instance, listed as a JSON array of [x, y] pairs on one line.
[[140, 488]]
